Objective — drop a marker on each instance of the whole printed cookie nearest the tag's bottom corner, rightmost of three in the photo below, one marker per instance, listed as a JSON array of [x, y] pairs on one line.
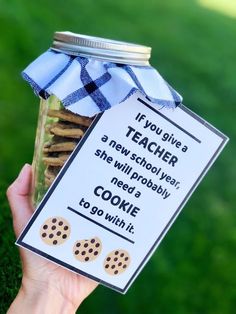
[[116, 262]]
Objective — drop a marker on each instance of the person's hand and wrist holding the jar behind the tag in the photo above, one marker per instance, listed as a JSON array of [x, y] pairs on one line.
[[46, 287]]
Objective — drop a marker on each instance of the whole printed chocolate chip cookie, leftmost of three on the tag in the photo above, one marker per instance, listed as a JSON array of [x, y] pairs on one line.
[[55, 231]]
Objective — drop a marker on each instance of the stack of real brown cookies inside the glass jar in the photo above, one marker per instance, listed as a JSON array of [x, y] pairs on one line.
[[65, 135]]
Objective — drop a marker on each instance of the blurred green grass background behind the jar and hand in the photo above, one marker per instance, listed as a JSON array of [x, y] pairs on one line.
[[194, 48]]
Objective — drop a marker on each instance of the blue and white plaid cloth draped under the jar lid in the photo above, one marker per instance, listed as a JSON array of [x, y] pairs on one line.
[[87, 86]]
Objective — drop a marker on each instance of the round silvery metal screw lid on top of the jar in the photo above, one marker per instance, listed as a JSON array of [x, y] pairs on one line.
[[101, 48]]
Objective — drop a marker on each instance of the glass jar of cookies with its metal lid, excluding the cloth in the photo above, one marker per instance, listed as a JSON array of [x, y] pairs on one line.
[[59, 130]]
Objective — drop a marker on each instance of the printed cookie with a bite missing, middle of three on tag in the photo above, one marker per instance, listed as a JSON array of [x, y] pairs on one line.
[[87, 250]]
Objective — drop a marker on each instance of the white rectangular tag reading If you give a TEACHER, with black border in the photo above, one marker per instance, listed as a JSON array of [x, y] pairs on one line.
[[121, 190]]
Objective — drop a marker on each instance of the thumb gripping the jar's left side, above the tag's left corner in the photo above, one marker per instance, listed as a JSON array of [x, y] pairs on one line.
[[18, 195]]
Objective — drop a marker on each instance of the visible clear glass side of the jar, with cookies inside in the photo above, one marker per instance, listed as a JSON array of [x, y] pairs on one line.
[[58, 132]]
